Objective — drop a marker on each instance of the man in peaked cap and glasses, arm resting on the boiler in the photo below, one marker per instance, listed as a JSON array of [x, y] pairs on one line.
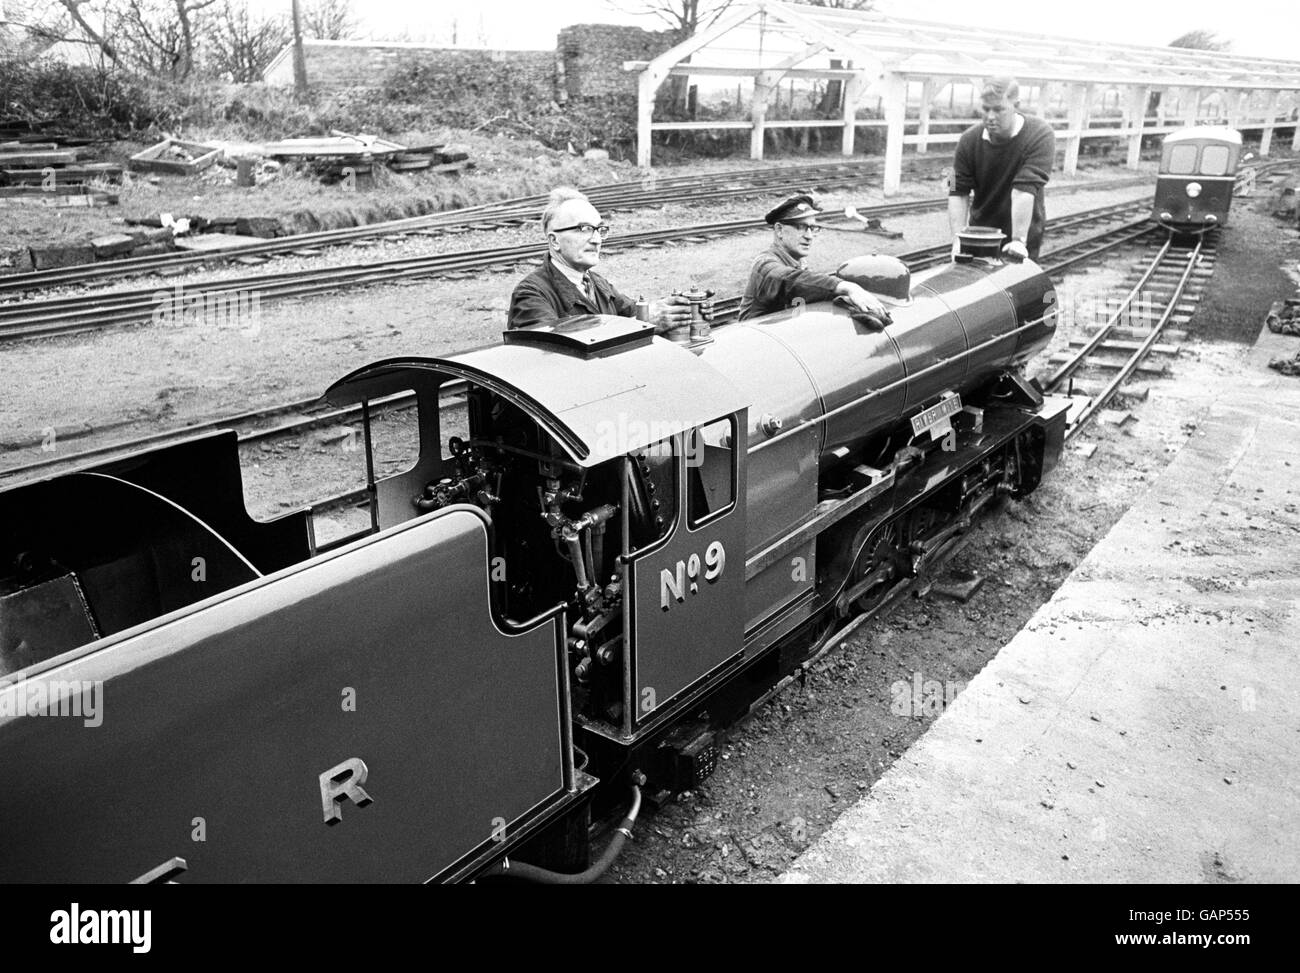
[[778, 279]]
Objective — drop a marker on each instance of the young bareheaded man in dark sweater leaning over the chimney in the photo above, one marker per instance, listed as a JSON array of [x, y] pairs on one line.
[[1000, 170]]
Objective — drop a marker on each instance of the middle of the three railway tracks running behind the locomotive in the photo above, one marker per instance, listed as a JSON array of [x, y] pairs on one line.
[[228, 299]]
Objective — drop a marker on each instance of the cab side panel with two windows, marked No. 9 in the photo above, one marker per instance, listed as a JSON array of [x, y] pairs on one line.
[[686, 612]]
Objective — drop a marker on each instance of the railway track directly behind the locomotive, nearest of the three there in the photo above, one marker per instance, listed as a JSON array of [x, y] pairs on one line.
[[304, 416]]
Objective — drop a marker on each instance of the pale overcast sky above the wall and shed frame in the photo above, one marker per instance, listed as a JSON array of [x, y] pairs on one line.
[[1254, 27]]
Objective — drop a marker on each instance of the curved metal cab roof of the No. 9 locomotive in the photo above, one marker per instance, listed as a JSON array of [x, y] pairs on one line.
[[597, 407]]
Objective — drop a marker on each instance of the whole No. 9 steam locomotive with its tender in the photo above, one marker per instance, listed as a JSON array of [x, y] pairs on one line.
[[635, 543]]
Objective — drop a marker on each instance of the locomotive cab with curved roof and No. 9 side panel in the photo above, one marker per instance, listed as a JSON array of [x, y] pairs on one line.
[[612, 468]]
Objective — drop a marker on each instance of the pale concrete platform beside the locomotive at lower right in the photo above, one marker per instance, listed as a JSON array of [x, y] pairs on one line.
[[1146, 724]]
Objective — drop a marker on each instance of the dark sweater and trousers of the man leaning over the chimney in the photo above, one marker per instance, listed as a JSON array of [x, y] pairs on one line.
[[993, 171]]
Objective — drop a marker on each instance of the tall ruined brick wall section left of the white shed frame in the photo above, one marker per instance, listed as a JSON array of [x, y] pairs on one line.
[[590, 58]]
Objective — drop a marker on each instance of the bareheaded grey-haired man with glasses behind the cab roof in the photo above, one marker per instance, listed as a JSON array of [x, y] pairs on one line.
[[567, 287]]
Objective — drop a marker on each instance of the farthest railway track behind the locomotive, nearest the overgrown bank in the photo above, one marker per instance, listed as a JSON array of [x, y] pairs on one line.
[[616, 197]]
